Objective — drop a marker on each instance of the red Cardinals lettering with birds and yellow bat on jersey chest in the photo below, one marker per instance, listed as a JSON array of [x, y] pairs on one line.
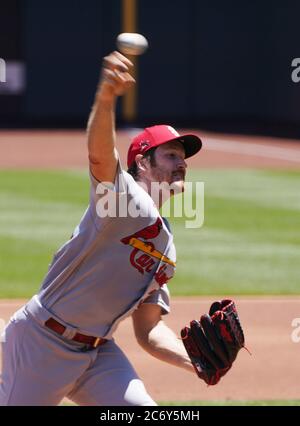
[[144, 255]]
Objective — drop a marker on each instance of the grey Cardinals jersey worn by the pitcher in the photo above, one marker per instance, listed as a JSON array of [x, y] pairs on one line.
[[111, 264]]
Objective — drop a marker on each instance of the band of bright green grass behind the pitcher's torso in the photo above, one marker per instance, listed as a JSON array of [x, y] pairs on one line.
[[249, 243]]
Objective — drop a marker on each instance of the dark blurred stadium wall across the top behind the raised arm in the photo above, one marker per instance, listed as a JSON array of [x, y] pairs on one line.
[[215, 65]]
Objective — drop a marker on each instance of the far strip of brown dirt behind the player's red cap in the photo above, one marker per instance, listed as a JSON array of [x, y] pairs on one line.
[[67, 149]]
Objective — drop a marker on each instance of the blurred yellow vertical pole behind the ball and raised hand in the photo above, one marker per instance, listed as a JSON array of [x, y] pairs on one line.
[[129, 24]]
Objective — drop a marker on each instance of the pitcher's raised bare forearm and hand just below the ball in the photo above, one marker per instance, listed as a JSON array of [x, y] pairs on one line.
[[115, 80]]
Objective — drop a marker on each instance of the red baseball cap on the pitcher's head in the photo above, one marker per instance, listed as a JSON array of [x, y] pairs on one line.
[[158, 135]]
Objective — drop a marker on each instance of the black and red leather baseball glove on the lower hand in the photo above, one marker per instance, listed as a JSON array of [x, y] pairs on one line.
[[214, 342]]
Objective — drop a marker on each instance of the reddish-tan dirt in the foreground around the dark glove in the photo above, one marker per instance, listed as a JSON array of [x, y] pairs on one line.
[[271, 372]]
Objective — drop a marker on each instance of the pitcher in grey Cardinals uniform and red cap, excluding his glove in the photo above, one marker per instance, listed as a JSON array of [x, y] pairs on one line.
[[115, 265]]
